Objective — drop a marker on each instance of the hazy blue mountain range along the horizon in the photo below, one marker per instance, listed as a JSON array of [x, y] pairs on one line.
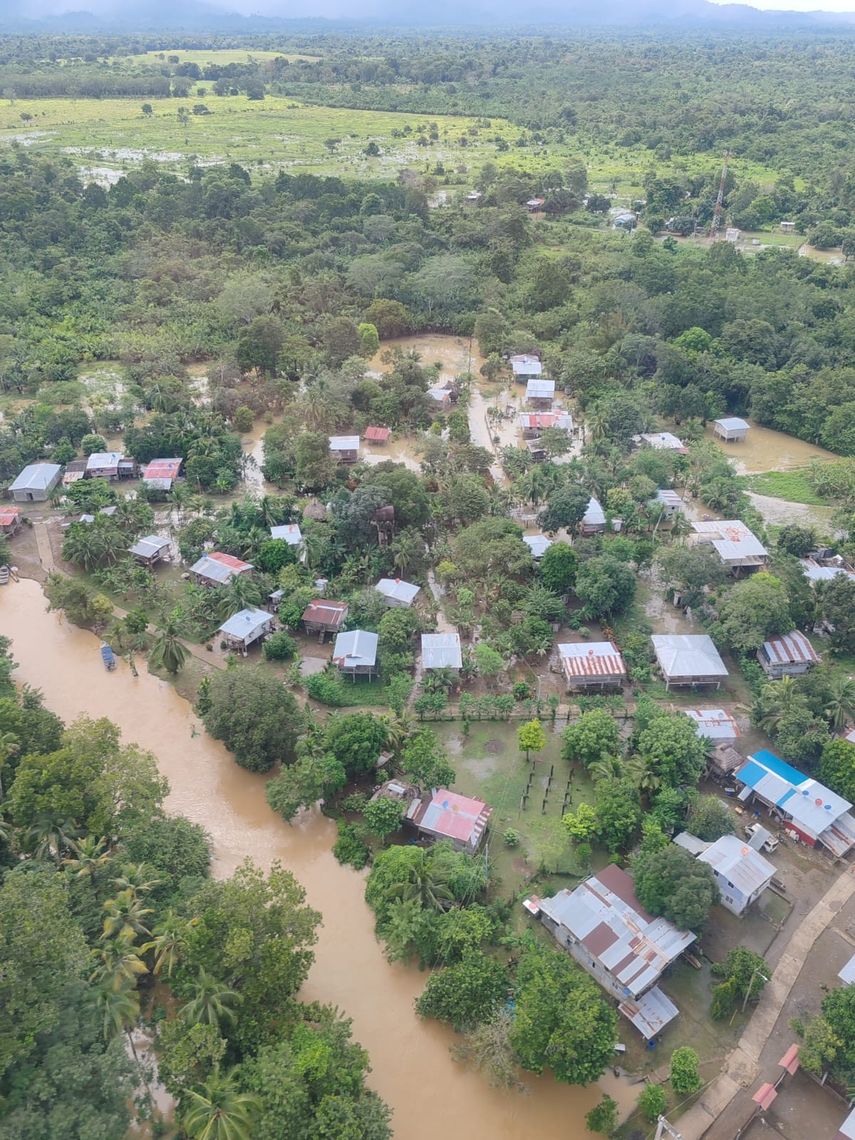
[[199, 17]]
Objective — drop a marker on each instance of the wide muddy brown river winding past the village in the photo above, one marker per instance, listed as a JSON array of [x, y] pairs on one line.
[[430, 1095]]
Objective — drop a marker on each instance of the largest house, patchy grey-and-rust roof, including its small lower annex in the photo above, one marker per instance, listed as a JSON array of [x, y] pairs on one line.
[[608, 932]]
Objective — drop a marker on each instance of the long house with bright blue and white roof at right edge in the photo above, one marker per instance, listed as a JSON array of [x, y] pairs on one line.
[[810, 811]]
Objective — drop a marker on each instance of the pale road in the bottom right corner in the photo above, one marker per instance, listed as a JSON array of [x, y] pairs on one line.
[[727, 1104]]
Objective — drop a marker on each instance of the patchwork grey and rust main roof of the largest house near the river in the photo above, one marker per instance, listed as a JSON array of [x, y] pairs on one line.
[[642, 947]]
